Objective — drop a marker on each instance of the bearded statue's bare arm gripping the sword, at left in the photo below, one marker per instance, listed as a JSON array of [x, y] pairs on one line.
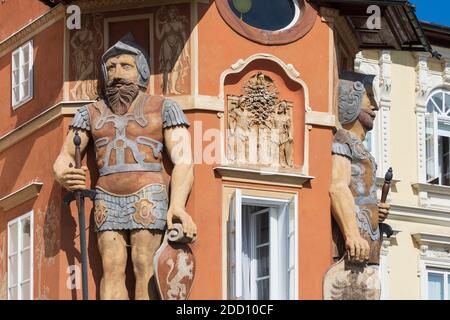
[[64, 166]]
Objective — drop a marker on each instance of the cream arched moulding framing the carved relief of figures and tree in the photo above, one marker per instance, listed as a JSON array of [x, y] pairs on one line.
[[292, 74]]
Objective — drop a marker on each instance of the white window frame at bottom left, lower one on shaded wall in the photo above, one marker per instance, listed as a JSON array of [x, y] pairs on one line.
[[20, 249]]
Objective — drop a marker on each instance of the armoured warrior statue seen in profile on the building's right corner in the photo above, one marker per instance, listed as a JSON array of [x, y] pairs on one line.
[[354, 204]]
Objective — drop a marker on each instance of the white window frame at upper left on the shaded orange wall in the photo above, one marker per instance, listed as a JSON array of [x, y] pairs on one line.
[[19, 82]]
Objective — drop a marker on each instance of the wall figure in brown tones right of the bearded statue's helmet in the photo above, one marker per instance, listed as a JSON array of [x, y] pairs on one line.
[[173, 60]]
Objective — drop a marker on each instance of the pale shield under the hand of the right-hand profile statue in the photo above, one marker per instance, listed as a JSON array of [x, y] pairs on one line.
[[347, 280]]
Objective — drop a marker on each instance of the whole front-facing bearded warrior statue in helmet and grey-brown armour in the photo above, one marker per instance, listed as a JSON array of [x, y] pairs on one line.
[[130, 130]]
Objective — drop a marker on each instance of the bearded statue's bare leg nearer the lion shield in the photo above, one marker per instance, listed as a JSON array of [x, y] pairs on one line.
[[144, 244]]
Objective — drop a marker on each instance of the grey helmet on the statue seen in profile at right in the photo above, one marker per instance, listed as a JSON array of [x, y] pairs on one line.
[[352, 87]]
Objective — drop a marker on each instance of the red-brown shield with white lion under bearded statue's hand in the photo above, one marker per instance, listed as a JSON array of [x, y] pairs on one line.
[[174, 265]]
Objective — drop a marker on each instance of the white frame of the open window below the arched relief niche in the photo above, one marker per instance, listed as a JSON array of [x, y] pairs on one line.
[[235, 283]]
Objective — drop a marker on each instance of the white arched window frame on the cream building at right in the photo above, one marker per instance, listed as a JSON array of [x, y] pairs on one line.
[[435, 117]]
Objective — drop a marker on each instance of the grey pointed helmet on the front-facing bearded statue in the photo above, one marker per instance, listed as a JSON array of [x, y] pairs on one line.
[[127, 45]]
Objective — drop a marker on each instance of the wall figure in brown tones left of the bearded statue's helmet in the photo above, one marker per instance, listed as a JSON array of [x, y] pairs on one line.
[[84, 43]]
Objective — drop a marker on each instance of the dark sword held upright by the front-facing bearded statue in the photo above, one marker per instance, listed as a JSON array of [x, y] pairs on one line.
[[79, 196]]
